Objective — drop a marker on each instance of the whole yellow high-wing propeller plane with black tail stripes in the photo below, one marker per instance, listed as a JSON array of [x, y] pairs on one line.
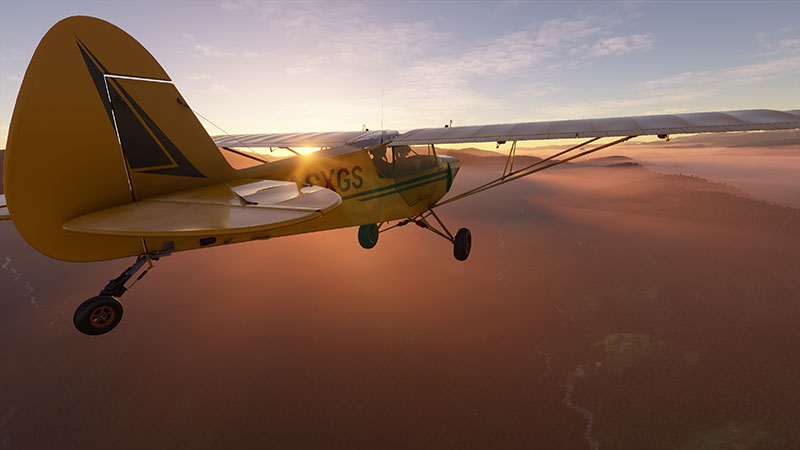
[[105, 159]]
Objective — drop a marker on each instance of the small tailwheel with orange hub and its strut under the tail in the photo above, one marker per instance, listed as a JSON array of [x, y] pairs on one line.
[[102, 313]]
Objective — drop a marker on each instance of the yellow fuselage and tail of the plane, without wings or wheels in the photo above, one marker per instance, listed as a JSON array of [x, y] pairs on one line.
[[67, 179]]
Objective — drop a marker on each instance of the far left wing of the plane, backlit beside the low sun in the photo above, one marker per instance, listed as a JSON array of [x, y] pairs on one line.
[[315, 139]]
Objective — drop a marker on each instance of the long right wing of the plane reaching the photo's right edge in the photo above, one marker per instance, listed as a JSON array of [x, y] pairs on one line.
[[665, 124]]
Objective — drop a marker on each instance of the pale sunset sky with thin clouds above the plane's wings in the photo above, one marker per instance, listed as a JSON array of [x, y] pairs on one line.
[[256, 67]]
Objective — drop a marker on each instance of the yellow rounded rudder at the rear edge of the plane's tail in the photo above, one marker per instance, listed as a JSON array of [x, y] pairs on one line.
[[63, 159]]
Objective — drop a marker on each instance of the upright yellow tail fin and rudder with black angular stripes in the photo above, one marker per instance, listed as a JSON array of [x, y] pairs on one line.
[[98, 123]]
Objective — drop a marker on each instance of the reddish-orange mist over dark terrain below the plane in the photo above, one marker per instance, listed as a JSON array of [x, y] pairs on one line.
[[637, 300]]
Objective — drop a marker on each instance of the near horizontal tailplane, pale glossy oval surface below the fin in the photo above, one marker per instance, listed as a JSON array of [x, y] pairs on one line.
[[220, 209]]
